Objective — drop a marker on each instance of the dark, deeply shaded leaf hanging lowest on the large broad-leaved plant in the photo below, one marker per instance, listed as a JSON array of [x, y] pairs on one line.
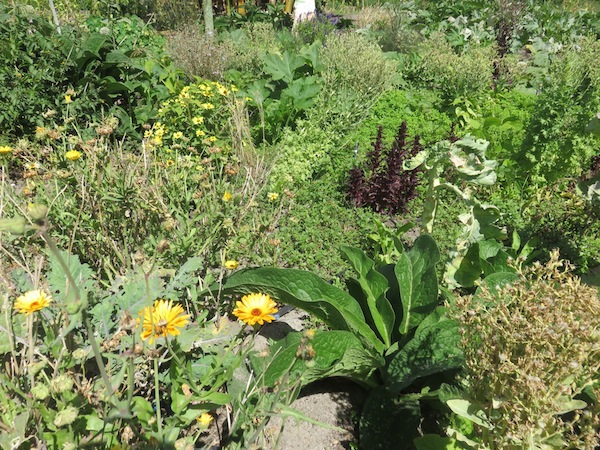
[[387, 423]]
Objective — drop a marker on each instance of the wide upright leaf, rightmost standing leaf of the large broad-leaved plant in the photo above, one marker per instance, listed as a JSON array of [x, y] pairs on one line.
[[417, 282]]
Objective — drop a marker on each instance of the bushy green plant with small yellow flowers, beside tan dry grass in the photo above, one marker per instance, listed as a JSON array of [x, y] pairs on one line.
[[194, 120]]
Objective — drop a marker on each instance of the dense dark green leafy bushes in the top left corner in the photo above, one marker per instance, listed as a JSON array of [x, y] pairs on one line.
[[99, 72]]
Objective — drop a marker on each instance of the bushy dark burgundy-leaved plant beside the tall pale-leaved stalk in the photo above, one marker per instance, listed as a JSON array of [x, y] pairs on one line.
[[385, 186]]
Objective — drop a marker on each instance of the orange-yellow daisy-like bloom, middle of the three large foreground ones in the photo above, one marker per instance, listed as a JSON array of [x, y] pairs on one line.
[[162, 319]]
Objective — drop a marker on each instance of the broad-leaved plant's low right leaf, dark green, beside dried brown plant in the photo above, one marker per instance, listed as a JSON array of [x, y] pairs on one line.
[[434, 348]]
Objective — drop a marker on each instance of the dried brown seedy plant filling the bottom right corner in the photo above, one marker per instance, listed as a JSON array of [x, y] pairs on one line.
[[531, 348]]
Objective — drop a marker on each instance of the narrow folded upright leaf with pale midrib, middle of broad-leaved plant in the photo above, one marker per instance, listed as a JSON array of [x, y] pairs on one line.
[[374, 286]]
